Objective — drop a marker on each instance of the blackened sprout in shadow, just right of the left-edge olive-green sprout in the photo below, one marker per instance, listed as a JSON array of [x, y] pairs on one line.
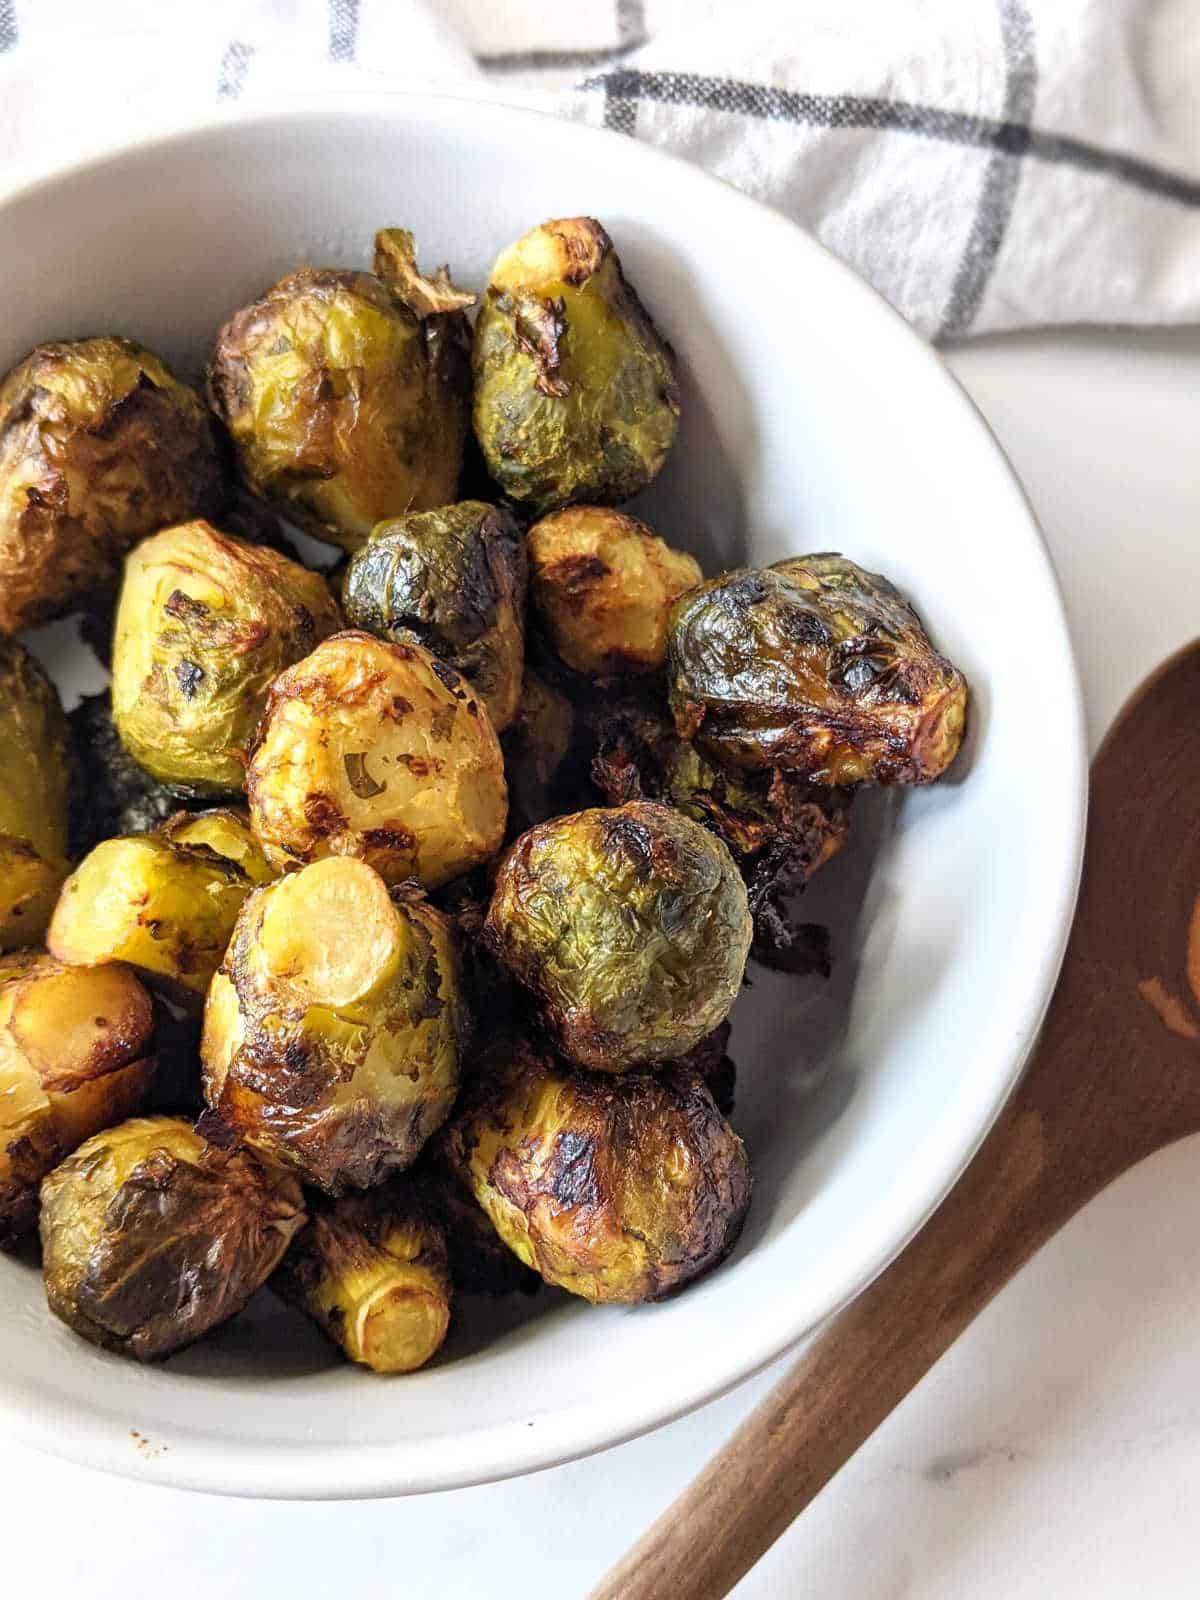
[[110, 793]]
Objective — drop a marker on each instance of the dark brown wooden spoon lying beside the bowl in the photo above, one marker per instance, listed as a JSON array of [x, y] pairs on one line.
[[1116, 1078]]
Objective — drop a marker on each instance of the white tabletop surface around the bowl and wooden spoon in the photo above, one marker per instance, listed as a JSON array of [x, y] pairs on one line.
[[1055, 1450]]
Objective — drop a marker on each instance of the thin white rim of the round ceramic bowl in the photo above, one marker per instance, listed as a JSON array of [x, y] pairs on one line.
[[286, 1471]]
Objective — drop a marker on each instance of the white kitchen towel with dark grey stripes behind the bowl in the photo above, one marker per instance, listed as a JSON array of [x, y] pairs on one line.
[[986, 164]]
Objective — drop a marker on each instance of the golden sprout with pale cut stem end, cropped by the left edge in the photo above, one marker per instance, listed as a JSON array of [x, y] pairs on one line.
[[74, 1058]]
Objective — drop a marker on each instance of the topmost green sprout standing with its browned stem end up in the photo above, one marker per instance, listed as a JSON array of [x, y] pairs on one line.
[[575, 388]]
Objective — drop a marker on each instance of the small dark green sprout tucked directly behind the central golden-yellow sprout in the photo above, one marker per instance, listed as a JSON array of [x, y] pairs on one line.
[[455, 582]]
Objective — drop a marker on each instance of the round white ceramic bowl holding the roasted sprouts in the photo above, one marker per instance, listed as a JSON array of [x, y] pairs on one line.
[[814, 420]]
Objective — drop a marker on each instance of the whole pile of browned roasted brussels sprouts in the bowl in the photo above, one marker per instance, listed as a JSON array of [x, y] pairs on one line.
[[377, 935]]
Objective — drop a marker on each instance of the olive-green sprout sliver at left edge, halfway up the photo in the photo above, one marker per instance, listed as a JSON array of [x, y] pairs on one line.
[[34, 782]]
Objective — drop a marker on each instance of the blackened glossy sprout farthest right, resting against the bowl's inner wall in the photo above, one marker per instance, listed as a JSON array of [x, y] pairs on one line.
[[817, 668]]
